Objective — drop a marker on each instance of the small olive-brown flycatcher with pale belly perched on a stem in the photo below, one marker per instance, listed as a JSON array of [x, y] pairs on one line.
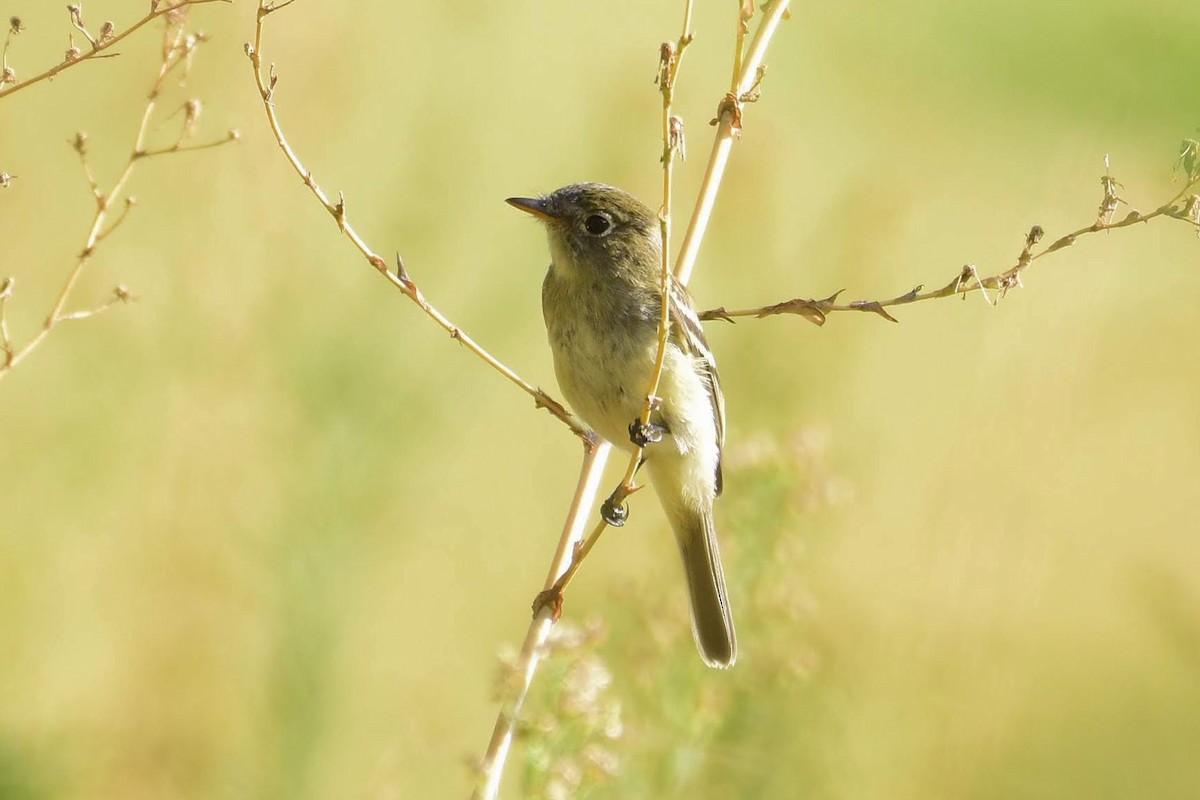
[[602, 302]]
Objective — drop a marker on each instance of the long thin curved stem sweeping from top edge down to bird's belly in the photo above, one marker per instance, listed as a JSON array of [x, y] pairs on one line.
[[399, 279]]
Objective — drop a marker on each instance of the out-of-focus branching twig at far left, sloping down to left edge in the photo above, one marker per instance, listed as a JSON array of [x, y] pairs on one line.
[[176, 53]]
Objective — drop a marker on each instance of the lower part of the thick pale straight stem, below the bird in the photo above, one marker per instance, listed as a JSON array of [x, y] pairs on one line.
[[526, 666]]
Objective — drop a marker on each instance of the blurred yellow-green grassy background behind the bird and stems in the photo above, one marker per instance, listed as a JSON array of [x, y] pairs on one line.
[[263, 533]]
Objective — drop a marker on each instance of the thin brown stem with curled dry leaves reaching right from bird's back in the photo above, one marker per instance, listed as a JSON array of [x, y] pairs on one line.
[[969, 280]]
